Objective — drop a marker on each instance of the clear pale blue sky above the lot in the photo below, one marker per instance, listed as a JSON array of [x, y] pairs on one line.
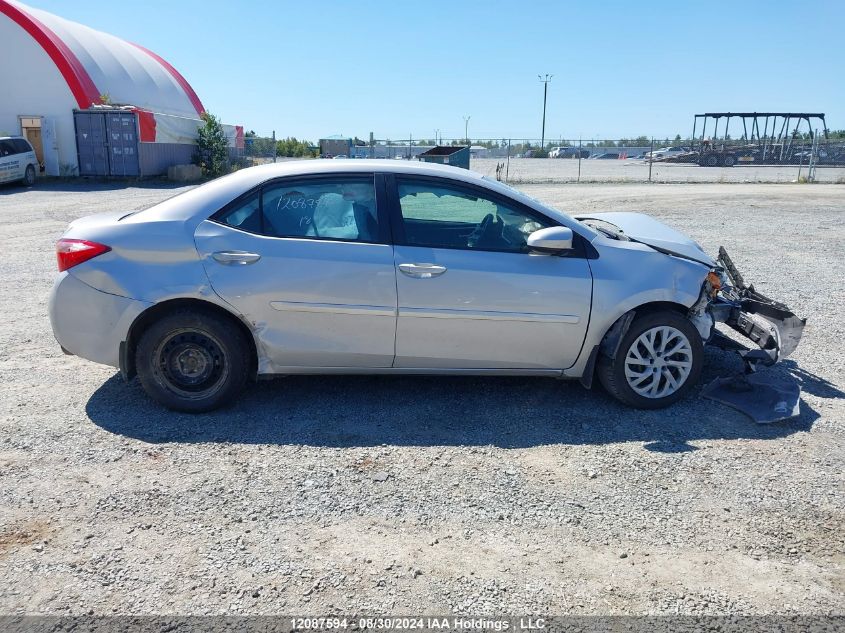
[[401, 68]]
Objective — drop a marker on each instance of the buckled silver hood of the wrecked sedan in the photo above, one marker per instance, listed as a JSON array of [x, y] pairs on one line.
[[645, 229]]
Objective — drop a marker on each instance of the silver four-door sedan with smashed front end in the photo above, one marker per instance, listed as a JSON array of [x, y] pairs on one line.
[[319, 267]]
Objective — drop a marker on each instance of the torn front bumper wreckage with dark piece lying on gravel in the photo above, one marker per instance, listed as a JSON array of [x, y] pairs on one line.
[[765, 397]]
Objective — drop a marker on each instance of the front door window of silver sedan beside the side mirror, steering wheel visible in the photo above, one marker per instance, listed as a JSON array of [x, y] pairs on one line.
[[447, 216]]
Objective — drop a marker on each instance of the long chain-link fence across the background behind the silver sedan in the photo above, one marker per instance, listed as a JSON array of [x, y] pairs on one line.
[[640, 159]]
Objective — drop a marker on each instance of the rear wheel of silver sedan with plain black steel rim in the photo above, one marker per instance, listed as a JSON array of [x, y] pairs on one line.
[[193, 361]]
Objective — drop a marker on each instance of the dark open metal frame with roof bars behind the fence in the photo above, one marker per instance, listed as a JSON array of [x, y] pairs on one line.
[[775, 144]]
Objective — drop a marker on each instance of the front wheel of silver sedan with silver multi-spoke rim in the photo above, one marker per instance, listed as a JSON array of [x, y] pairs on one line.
[[658, 362]]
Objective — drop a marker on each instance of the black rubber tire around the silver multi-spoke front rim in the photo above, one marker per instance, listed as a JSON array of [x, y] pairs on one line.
[[612, 373]]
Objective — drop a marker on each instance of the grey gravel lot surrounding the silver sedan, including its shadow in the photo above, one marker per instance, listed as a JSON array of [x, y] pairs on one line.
[[428, 495]]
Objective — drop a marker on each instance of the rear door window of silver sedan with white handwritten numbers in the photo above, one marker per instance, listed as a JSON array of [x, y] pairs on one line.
[[338, 208]]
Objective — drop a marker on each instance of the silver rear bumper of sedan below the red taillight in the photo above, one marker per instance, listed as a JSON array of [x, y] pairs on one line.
[[90, 323]]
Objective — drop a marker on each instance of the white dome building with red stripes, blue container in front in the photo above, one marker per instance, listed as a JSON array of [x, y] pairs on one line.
[[56, 76]]
